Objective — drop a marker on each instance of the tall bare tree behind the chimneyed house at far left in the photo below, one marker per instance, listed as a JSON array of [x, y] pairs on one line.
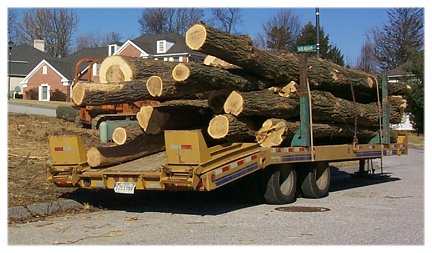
[[54, 26]]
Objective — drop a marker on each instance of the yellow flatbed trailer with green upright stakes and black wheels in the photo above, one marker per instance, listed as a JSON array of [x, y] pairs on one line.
[[188, 163]]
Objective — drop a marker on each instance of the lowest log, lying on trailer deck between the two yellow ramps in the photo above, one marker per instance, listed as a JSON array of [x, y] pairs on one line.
[[142, 145]]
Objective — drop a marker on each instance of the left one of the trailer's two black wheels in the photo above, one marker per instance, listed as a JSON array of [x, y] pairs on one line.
[[280, 185]]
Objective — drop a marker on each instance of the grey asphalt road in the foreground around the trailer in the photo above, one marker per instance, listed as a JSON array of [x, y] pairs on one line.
[[381, 211]]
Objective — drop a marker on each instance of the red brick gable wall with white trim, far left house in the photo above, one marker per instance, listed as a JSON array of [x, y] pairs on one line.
[[51, 78]]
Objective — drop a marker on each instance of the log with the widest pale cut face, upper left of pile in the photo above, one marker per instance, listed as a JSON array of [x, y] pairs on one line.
[[119, 69]]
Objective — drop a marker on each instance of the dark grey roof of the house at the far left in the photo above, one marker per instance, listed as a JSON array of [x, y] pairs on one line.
[[25, 58]]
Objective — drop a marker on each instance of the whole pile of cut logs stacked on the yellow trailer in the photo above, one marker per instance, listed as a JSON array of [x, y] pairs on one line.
[[239, 94]]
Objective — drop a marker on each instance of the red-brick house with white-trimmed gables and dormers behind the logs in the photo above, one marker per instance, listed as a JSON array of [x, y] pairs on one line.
[[52, 79]]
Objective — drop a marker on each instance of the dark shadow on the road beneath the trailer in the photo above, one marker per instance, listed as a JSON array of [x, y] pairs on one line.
[[226, 199]]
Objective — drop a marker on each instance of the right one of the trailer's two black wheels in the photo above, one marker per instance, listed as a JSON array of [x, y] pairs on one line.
[[315, 180]]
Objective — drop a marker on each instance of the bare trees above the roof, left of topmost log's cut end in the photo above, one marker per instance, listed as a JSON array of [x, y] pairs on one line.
[[165, 20]]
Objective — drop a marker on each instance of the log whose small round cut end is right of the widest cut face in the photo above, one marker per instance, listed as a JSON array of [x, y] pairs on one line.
[[199, 75]]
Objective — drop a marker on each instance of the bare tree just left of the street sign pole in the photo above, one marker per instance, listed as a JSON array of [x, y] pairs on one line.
[[282, 30]]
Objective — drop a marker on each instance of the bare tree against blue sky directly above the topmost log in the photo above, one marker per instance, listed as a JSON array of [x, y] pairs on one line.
[[226, 19]]
